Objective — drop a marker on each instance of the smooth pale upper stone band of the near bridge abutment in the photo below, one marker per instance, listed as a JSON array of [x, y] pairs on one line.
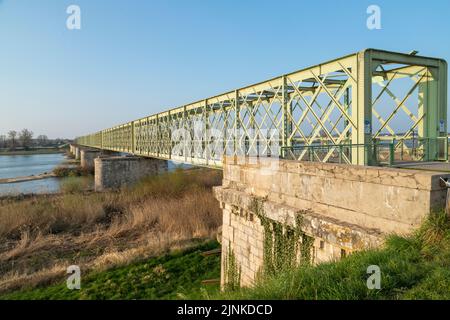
[[369, 196]]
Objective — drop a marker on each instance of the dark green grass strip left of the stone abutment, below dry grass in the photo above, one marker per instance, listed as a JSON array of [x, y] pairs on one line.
[[171, 276]]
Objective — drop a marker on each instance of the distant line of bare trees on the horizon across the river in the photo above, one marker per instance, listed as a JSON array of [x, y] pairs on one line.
[[24, 139]]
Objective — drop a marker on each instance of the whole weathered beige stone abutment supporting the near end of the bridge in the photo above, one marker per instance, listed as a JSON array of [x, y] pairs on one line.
[[343, 208]]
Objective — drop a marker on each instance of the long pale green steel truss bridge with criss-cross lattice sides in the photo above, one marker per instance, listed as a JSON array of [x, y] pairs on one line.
[[373, 107]]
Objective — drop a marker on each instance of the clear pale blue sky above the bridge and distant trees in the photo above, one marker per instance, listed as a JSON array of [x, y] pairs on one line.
[[135, 58]]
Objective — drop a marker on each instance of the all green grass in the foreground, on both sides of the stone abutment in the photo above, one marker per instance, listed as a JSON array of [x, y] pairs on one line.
[[414, 267]]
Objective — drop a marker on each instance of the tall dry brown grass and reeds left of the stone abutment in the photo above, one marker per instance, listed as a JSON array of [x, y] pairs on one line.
[[40, 236]]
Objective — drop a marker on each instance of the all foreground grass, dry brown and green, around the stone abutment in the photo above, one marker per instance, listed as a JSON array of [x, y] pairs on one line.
[[116, 237]]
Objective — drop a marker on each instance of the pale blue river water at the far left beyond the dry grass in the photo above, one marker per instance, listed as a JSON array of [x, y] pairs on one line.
[[27, 165]]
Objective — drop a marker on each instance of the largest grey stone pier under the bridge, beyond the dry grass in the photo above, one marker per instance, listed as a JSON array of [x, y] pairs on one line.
[[114, 172]]
